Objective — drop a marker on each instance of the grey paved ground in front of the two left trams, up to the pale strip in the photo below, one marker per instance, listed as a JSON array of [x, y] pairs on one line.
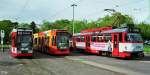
[[44, 64]]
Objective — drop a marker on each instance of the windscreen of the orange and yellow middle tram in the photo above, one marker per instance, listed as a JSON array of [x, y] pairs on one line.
[[62, 40]]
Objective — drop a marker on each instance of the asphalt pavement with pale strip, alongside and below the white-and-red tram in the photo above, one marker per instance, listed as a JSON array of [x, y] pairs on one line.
[[130, 67]]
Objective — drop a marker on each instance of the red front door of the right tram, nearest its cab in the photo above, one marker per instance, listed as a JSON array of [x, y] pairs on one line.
[[115, 45]]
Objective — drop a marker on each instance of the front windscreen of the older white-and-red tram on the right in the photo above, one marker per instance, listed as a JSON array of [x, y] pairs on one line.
[[134, 37]]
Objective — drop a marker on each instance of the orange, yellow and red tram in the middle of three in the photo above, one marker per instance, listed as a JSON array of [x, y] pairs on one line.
[[52, 42]]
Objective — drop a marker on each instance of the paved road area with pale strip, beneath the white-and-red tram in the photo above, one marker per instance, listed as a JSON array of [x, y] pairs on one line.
[[141, 66]]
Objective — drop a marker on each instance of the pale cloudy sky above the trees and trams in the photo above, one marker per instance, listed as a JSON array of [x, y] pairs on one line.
[[51, 10]]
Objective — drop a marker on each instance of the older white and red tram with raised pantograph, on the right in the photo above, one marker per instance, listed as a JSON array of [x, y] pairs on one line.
[[121, 42]]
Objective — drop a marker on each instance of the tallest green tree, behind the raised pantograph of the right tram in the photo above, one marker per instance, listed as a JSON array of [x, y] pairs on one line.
[[116, 20]]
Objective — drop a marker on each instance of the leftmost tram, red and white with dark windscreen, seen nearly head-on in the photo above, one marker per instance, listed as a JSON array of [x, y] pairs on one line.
[[21, 42]]
